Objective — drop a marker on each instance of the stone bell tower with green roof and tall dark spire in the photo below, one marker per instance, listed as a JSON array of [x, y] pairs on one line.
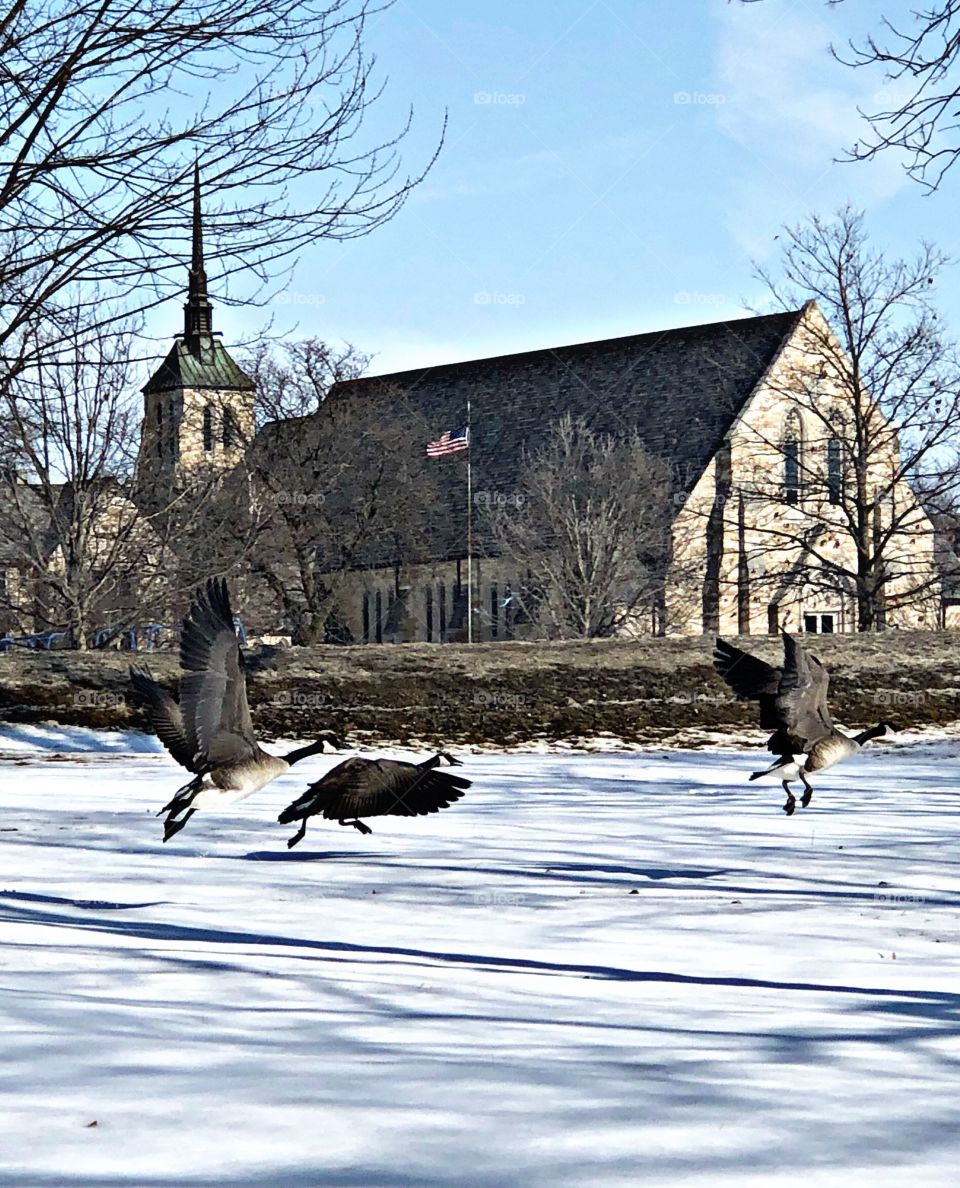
[[199, 403]]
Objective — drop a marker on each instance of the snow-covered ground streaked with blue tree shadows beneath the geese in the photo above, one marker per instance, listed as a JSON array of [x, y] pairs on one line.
[[595, 970]]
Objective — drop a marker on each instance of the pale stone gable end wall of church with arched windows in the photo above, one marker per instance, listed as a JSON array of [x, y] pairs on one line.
[[736, 533]]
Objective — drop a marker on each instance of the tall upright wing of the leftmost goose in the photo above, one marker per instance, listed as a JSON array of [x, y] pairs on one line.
[[213, 690]]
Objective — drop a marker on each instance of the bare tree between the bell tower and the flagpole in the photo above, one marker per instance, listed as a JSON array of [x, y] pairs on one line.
[[337, 484]]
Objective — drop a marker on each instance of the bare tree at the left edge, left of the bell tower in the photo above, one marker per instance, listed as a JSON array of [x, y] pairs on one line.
[[78, 546]]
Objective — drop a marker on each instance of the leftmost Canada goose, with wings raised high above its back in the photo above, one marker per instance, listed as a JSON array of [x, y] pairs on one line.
[[210, 731]]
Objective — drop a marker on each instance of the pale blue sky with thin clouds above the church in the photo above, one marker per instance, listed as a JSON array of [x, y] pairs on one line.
[[611, 167]]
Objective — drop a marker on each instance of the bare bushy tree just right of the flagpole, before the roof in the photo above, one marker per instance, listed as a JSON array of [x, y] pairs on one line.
[[589, 527]]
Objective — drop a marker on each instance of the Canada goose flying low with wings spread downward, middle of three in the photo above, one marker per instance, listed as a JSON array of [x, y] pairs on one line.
[[361, 788]]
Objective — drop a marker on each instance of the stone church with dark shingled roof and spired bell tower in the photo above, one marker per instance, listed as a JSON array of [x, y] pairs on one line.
[[756, 478]]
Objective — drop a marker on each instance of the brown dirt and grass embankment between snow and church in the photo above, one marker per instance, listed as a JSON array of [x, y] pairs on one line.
[[503, 694]]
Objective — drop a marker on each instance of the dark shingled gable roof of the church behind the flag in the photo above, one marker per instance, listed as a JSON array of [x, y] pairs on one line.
[[680, 390]]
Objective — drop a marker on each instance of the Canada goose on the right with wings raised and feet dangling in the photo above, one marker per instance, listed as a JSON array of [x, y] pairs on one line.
[[794, 705]]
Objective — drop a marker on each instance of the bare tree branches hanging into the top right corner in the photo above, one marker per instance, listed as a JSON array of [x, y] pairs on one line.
[[921, 50]]
